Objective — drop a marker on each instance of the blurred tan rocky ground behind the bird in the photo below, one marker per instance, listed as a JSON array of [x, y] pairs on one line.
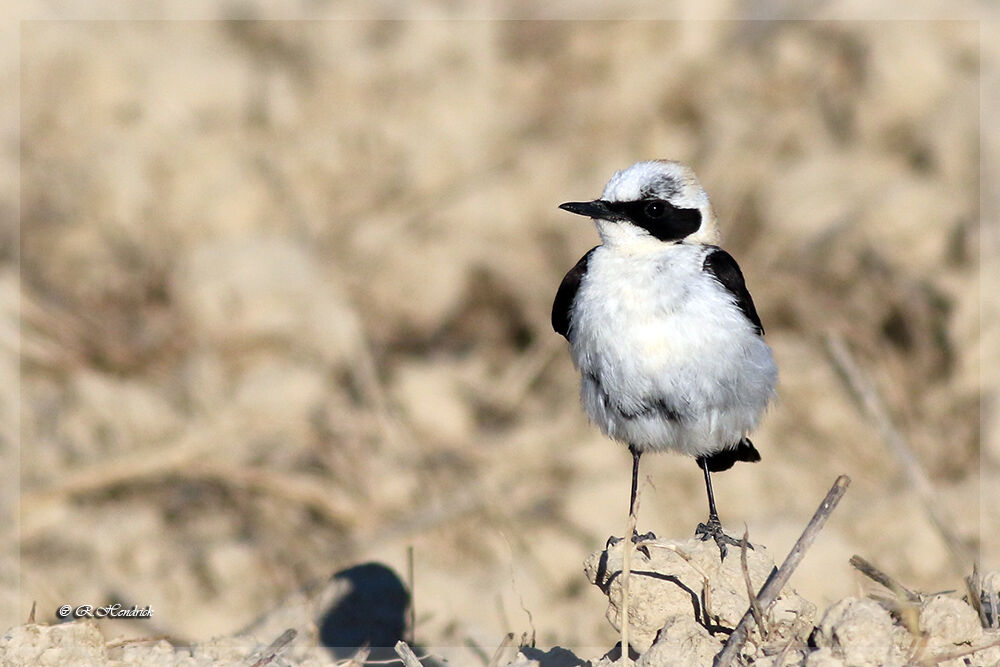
[[284, 294]]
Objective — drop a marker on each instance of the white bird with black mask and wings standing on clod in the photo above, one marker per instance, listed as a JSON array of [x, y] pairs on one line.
[[663, 330]]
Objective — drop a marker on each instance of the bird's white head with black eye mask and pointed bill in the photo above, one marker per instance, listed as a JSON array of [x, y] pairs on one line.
[[652, 203]]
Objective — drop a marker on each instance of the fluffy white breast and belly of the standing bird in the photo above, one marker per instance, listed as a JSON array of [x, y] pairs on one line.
[[668, 361]]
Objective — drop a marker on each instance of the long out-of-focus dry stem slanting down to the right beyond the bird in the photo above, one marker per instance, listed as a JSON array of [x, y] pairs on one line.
[[868, 399]]
